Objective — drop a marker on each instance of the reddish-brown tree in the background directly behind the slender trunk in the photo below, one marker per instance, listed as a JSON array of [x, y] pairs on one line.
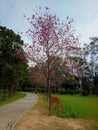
[[38, 75]]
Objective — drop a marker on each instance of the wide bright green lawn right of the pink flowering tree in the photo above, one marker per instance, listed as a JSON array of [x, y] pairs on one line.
[[80, 107]]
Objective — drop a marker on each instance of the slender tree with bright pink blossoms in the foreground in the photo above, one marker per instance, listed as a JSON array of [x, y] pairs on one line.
[[49, 38]]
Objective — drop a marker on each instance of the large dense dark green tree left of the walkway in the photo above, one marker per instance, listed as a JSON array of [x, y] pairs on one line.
[[13, 61]]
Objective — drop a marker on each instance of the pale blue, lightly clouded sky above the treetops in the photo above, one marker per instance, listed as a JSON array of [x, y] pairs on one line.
[[84, 13]]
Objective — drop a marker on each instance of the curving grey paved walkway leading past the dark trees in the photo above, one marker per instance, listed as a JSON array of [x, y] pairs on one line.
[[10, 113]]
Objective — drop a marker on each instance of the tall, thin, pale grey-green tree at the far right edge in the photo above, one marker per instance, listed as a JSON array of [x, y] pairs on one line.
[[91, 51]]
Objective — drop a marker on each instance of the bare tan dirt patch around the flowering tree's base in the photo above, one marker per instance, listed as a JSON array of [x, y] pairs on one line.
[[38, 119]]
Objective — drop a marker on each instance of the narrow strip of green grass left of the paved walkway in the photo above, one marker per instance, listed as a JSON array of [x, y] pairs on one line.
[[16, 97]]
